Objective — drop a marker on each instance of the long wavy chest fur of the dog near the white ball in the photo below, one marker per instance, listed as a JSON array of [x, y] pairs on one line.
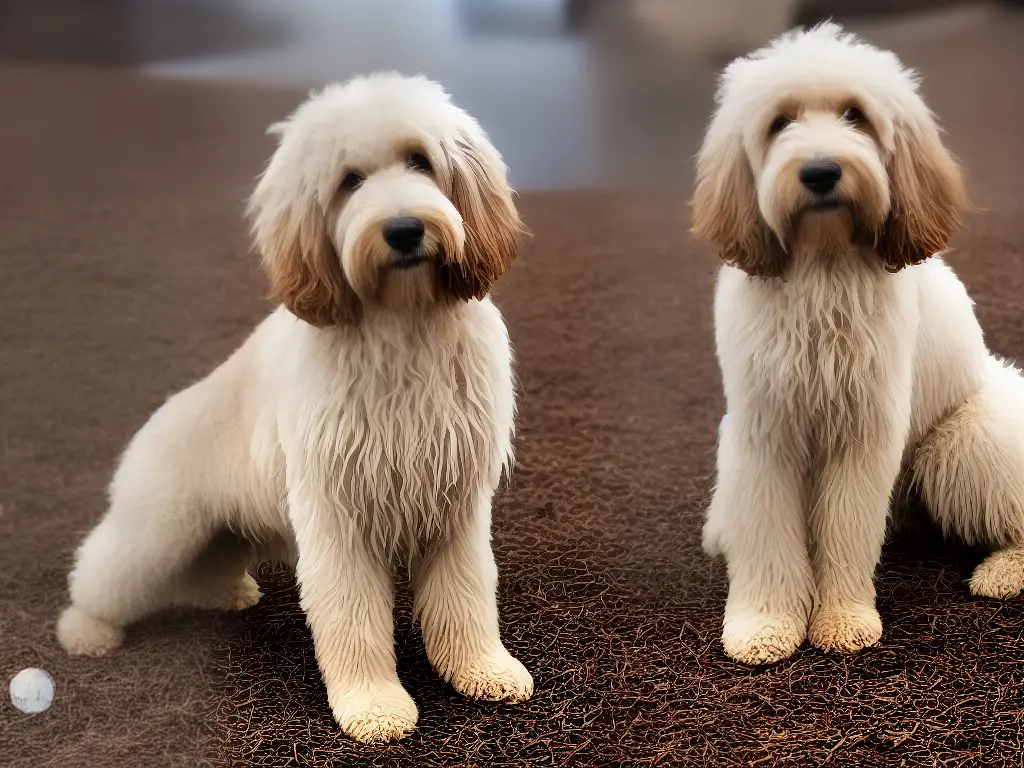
[[416, 425]]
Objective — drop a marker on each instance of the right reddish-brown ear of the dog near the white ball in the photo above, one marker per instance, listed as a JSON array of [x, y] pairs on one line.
[[481, 193]]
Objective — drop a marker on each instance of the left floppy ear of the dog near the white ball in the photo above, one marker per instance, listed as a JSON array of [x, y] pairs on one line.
[[290, 233]]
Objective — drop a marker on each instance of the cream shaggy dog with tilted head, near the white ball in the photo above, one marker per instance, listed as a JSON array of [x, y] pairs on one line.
[[366, 423]]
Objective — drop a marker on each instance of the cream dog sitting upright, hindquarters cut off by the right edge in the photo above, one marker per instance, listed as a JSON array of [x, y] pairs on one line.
[[851, 356]]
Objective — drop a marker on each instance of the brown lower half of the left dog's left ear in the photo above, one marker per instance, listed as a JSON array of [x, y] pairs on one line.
[[305, 271]]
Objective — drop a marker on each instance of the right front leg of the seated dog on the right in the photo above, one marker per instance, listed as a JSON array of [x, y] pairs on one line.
[[848, 524]]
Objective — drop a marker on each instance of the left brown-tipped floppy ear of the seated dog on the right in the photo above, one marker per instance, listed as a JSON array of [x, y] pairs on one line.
[[726, 208]]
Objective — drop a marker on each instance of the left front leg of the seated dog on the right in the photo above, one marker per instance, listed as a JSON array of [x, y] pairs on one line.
[[757, 521]]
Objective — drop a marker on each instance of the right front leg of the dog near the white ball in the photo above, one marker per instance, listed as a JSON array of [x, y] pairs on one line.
[[457, 607]]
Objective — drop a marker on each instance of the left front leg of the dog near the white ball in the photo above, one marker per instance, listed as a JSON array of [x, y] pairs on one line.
[[348, 593]]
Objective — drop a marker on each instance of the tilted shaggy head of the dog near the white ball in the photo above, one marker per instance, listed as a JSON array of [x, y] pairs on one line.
[[382, 195]]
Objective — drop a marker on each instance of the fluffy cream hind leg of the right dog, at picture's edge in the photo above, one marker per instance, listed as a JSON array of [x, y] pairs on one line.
[[970, 471]]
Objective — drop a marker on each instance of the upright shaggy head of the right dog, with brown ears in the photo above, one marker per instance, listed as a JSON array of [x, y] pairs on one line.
[[821, 141]]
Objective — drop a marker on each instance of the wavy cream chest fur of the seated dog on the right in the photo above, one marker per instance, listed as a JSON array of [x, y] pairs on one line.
[[822, 345]]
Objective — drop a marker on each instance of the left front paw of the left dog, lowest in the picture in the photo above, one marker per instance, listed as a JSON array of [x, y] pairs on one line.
[[375, 715]]
